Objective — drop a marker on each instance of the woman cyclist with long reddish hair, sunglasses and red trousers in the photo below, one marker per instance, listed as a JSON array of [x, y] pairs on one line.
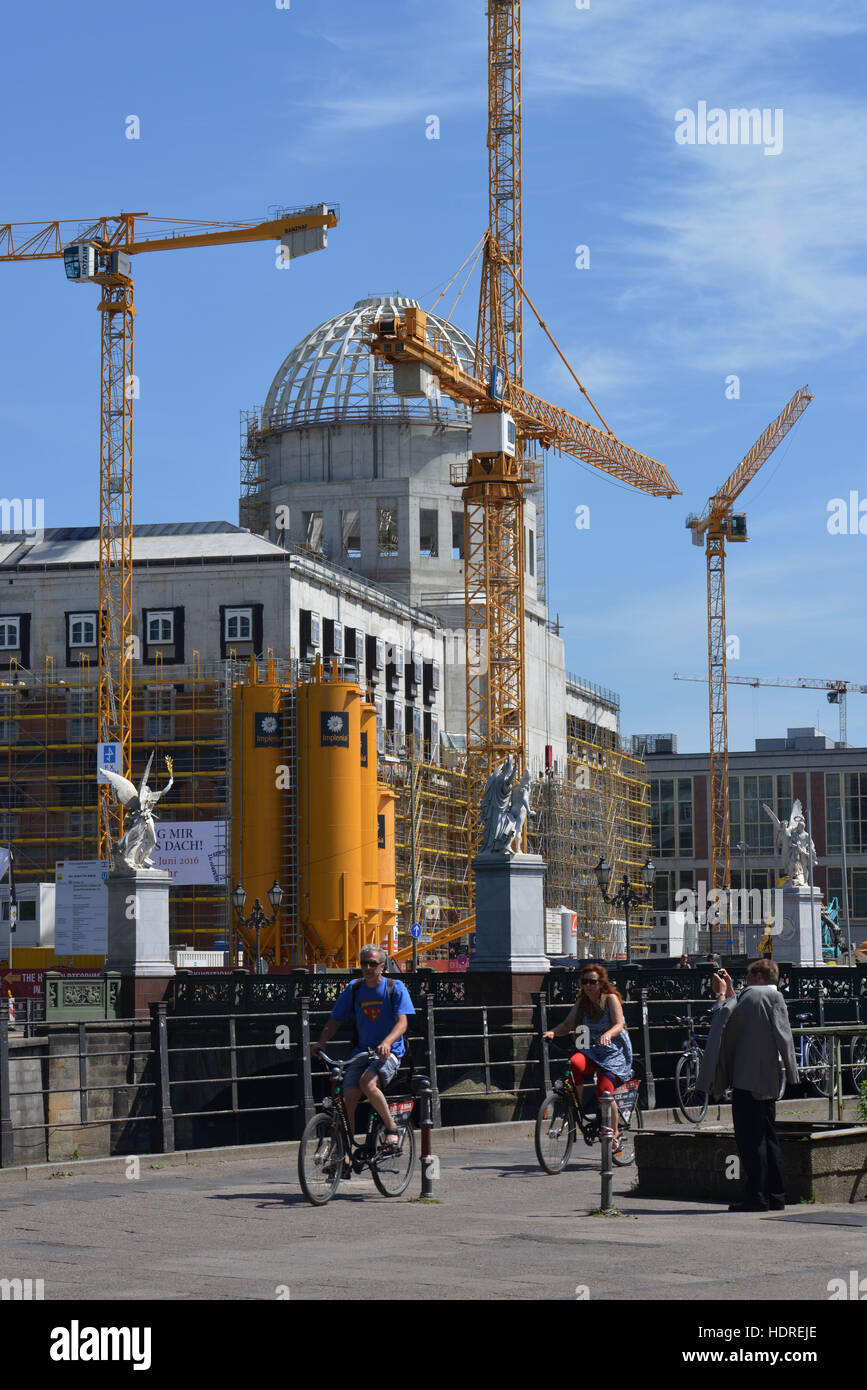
[[609, 1054]]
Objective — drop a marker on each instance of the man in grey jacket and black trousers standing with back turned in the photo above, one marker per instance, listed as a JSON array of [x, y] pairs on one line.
[[755, 1032]]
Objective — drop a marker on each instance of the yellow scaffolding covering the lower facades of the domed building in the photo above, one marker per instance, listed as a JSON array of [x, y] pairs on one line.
[[48, 800]]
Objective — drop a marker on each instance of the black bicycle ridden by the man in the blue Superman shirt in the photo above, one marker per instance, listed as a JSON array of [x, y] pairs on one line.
[[329, 1149]]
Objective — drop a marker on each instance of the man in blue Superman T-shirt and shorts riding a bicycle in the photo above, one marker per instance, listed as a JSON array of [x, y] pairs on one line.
[[380, 1008]]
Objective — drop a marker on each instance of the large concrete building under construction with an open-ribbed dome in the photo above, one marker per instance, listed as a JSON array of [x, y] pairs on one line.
[[352, 554]]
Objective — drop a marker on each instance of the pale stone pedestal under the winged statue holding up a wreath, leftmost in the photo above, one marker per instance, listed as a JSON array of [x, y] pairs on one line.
[[138, 938]]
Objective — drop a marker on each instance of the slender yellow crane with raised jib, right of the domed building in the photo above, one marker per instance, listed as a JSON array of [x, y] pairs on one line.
[[718, 525]]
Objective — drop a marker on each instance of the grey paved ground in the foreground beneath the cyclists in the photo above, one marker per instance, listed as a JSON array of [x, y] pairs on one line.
[[241, 1229]]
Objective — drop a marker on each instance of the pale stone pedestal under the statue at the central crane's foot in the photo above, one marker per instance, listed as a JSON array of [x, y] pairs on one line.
[[511, 915]]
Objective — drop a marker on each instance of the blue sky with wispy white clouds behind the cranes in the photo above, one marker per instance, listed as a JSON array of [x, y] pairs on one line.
[[707, 262]]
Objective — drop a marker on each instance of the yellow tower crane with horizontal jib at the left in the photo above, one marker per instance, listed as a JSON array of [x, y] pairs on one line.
[[101, 255]]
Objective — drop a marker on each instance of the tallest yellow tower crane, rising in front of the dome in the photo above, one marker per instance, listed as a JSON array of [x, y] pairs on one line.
[[506, 420]]
